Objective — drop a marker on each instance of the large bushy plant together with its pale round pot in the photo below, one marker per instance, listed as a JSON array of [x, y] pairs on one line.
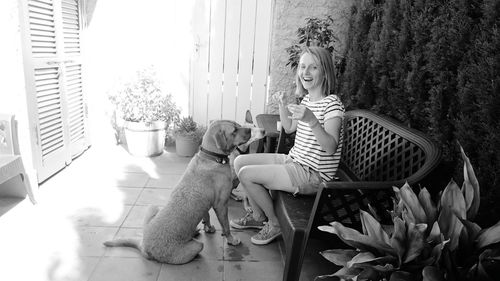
[[146, 112]]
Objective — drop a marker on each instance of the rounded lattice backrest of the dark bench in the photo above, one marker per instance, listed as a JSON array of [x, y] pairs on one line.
[[380, 149]]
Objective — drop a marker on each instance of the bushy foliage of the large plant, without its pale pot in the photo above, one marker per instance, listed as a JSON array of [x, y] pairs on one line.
[[142, 100]]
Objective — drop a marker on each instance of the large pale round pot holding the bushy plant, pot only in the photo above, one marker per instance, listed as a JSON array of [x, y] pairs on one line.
[[145, 139]]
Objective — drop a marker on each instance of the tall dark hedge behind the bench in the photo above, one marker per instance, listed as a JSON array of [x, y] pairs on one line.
[[434, 66]]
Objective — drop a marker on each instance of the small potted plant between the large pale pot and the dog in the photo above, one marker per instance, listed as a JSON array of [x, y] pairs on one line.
[[188, 136]]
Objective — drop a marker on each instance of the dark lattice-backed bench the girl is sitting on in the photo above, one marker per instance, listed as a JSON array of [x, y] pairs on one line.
[[377, 153]]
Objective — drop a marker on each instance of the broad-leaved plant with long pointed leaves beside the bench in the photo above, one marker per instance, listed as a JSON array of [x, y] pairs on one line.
[[427, 241]]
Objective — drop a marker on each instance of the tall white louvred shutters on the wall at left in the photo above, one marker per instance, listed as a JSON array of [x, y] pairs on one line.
[[53, 76]]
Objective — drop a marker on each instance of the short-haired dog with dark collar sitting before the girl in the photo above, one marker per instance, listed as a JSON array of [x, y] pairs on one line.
[[206, 183]]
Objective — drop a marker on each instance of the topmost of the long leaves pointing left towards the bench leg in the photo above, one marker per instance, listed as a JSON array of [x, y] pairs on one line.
[[355, 239]]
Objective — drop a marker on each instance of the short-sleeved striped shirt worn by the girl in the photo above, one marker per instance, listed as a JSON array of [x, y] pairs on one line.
[[306, 149]]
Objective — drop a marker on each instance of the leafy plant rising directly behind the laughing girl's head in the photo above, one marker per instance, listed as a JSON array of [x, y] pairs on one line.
[[316, 32]]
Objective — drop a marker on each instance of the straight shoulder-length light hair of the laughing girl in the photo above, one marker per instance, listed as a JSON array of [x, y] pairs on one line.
[[325, 60]]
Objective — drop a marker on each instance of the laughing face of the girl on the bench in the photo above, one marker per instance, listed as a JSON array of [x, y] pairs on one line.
[[310, 73]]
